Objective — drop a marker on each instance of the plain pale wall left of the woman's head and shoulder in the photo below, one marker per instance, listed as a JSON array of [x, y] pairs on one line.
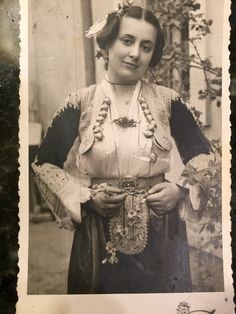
[[56, 55]]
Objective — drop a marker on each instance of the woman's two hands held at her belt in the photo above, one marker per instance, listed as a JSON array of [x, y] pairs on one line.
[[161, 198]]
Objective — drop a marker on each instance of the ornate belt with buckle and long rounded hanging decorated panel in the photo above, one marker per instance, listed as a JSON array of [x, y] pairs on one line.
[[129, 228]]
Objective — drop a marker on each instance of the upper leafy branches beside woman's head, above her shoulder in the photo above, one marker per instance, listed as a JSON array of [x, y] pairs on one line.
[[179, 16]]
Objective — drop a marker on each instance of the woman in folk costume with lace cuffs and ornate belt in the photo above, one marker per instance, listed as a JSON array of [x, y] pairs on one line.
[[102, 163]]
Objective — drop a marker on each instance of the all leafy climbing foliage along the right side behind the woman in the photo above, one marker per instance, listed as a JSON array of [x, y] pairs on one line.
[[178, 16]]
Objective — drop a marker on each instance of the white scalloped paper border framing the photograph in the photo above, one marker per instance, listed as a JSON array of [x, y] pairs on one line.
[[221, 302]]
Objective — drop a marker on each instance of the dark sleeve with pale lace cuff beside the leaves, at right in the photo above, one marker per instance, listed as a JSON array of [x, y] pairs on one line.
[[196, 154]]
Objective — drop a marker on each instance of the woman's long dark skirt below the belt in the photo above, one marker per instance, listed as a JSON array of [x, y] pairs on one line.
[[162, 267]]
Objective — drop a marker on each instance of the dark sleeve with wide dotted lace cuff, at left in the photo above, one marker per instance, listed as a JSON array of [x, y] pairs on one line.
[[63, 191]]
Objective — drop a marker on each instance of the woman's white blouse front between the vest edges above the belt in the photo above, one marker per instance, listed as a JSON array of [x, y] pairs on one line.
[[124, 151]]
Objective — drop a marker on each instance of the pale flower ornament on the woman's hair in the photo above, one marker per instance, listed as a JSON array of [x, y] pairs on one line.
[[98, 26]]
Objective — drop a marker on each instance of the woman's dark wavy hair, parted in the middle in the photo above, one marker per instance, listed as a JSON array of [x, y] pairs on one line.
[[111, 30]]
